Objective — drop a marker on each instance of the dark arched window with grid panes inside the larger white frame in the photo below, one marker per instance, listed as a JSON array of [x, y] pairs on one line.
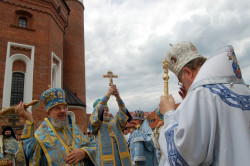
[[17, 88]]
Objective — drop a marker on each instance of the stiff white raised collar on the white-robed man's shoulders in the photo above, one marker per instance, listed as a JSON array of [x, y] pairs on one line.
[[222, 68]]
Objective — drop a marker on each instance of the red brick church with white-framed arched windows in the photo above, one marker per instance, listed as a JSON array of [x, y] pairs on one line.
[[42, 44]]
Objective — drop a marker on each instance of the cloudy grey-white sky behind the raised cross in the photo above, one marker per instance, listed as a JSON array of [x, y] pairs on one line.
[[131, 38]]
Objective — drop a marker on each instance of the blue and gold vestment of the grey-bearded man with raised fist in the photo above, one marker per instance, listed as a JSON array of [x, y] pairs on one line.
[[50, 146]]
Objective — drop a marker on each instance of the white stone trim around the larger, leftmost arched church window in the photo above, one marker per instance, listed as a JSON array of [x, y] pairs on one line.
[[28, 80]]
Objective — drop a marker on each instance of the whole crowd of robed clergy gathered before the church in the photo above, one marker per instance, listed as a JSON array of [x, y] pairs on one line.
[[209, 127]]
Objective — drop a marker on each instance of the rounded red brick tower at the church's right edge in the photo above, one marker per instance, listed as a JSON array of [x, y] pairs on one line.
[[74, 59]]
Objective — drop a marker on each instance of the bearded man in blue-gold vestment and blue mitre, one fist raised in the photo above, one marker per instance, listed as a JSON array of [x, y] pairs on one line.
[[58, 141]]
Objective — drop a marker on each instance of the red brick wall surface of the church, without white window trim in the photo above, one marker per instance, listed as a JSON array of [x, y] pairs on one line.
[[46, 21]]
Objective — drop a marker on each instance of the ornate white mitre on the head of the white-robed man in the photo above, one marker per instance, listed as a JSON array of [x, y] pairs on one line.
[[179, 55]]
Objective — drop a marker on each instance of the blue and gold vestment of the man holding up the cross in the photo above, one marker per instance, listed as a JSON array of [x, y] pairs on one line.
[[111, 144]]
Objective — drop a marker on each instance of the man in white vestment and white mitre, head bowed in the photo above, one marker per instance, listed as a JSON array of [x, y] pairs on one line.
[[211, 125]]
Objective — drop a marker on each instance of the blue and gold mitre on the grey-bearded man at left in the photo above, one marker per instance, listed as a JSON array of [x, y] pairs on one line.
[[53, 97]]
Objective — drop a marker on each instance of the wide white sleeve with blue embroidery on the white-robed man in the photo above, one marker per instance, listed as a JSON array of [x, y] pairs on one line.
[[190, 130]]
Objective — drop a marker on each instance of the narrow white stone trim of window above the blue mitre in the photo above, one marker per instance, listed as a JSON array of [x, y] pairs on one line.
[[58, 71]]
